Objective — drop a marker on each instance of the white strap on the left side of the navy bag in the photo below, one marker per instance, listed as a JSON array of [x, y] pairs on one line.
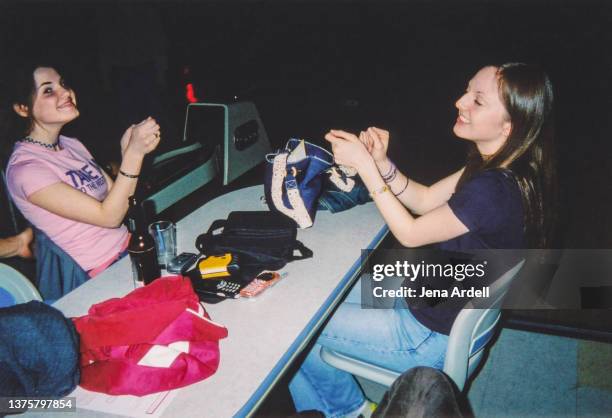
[[298, 211]]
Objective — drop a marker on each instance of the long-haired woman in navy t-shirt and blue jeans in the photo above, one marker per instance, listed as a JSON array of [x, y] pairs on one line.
[[500, 199]]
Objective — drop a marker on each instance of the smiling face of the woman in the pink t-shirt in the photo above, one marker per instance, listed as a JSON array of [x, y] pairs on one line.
[[53, 104]]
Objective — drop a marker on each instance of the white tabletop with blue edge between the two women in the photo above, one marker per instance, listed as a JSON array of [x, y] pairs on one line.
[[266, 333]]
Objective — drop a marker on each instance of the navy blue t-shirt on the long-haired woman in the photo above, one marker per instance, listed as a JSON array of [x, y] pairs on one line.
[[490, 206]]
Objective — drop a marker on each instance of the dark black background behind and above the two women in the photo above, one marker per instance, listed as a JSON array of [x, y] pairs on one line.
[[310, 66]]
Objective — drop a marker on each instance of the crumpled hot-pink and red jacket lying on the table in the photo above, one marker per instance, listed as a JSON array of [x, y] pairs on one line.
[[117, 334]]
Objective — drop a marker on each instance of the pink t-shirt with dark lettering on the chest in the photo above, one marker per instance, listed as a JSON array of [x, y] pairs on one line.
[[33, 167]]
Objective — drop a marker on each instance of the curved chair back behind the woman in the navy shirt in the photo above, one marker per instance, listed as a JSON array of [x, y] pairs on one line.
[[473, 329]]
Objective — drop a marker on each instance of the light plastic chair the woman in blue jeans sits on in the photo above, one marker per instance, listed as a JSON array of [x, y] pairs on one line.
[[471, 332]]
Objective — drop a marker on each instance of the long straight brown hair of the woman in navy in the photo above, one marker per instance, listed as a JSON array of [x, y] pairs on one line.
[[528, 153]]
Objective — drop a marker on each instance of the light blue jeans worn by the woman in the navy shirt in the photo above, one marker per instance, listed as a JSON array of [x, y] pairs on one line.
[[391, 338]]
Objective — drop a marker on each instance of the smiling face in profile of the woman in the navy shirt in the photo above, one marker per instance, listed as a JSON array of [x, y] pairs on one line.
[[482, 116]]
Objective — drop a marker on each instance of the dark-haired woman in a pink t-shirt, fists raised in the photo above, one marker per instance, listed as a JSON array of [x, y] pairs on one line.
[[54, 180]]
